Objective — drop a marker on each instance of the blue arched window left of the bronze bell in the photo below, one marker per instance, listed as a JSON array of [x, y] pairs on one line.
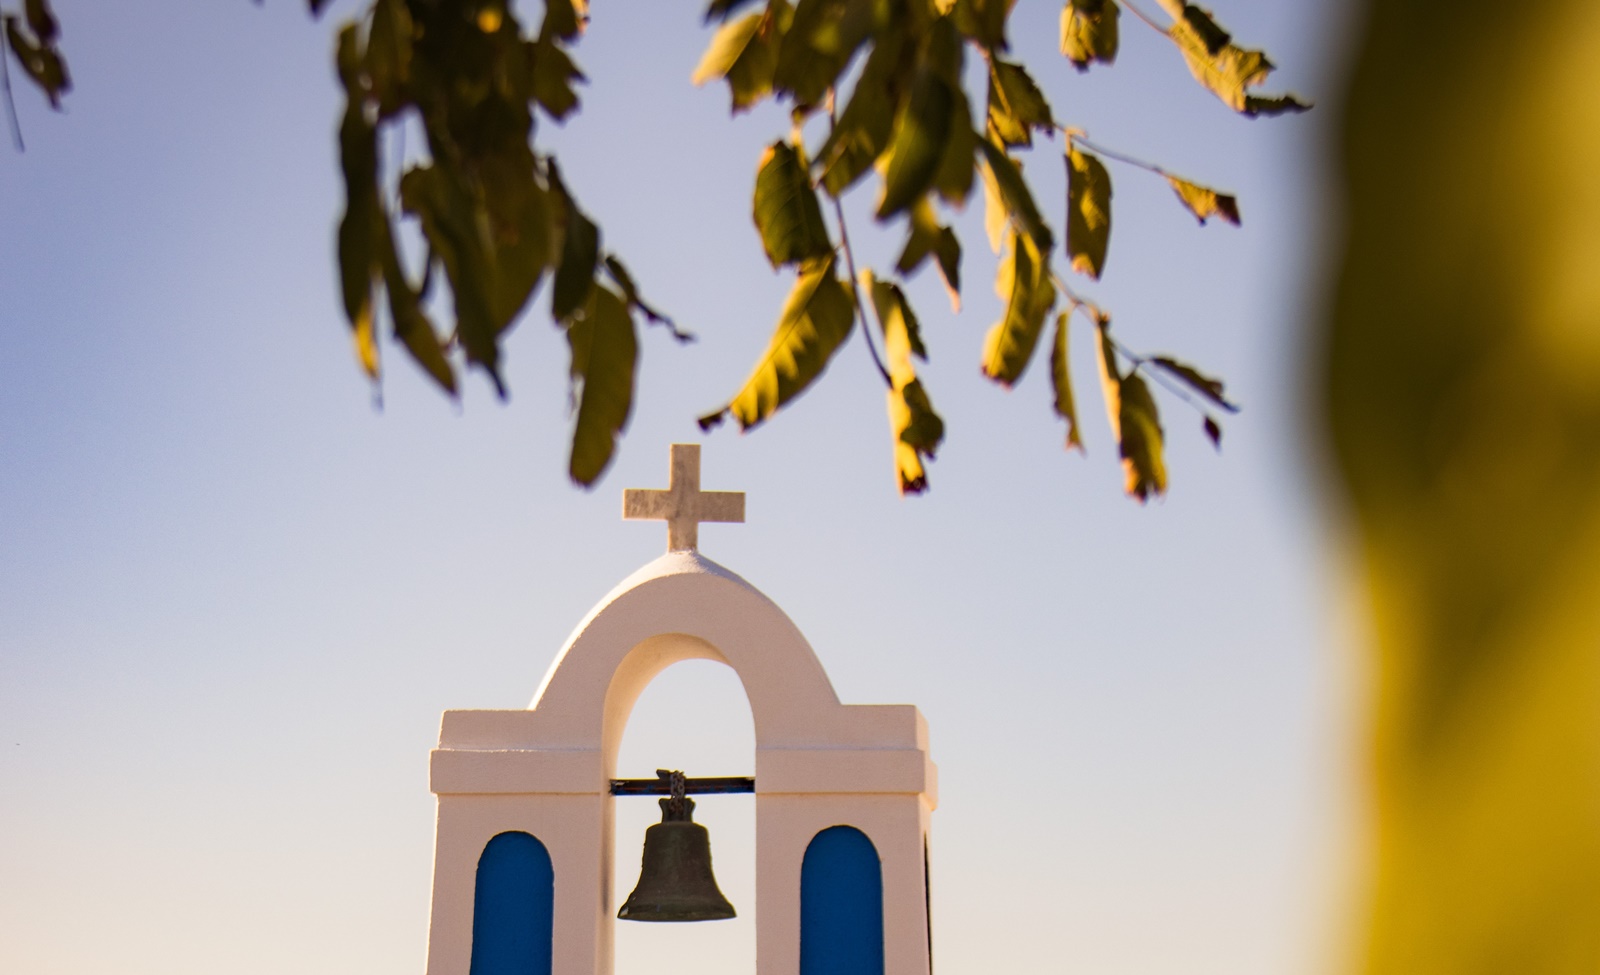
[[513, 909]]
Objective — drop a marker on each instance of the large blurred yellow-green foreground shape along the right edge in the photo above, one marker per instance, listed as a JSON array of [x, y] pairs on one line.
[[1463, 404]]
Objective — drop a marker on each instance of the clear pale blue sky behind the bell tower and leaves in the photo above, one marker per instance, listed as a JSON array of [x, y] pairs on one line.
[[236, 596]]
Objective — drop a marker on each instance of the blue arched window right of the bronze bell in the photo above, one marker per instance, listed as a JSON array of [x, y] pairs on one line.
[[841, 905]]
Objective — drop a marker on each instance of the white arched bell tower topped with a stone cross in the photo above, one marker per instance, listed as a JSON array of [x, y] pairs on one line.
[[546, 771]]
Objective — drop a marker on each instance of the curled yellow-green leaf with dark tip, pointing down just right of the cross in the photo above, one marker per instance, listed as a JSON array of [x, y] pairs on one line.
[[815, 323]]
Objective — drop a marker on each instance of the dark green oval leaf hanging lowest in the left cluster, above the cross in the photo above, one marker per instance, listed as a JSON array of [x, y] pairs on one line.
[[606, 355]]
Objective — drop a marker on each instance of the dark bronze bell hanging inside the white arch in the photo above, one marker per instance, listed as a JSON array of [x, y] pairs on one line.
[[674, 880]]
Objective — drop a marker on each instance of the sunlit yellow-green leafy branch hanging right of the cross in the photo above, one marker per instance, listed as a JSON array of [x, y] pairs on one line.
[[908, 116]]
